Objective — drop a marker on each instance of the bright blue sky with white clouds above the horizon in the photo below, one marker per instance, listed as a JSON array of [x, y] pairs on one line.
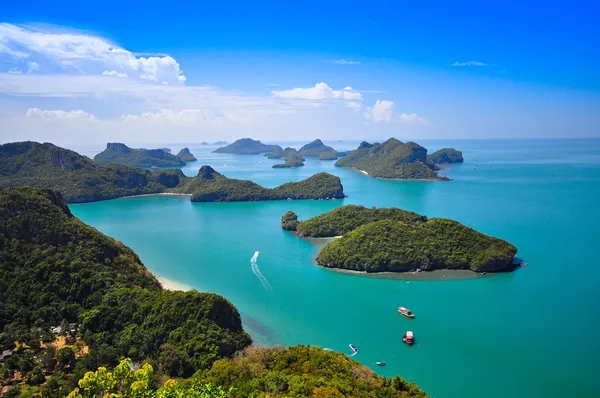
[[295, 70]]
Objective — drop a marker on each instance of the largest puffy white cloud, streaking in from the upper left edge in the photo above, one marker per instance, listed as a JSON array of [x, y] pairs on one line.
[[84, 54]]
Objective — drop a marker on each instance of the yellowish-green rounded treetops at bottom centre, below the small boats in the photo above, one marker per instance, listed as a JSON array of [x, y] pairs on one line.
[[302, 371]]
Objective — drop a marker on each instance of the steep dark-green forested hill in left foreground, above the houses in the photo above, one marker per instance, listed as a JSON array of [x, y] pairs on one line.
[[54, 270]]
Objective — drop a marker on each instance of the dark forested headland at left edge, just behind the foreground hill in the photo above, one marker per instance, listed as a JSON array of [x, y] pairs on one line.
[[76, 177]]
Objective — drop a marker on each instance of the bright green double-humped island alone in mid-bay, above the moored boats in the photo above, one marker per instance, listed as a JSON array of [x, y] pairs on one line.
[[378, 240]]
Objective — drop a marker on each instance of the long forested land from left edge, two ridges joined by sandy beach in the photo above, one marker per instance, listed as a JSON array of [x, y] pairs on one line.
[[80, 180]]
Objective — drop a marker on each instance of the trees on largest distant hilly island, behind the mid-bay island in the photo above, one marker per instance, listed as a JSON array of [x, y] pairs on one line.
[[392, 159]]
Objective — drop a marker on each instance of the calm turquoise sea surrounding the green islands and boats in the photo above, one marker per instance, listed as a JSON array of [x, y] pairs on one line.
[[531, 333]]
